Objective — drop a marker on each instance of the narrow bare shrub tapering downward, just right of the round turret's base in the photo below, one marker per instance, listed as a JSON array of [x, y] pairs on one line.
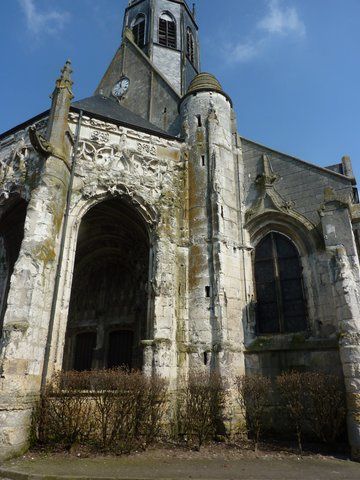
[[253, 396]]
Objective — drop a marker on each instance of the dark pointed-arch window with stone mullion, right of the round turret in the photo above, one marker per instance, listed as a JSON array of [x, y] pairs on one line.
[[280, 302]]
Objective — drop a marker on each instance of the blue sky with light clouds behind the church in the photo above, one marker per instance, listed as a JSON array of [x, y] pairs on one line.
[[292, 67]]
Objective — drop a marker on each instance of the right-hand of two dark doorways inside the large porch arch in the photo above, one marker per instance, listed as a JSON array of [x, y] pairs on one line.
[[120, 349]]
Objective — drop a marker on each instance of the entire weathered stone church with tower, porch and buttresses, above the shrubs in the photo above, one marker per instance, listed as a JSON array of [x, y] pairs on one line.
[[139, 228]]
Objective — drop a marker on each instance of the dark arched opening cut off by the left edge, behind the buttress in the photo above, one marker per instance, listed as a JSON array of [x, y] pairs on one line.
[[12, 222]]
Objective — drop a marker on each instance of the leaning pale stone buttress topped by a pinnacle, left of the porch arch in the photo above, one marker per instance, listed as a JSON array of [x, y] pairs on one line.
[[26, 323]]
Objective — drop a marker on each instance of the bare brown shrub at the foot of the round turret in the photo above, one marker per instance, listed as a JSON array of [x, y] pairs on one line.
[[200, 408]]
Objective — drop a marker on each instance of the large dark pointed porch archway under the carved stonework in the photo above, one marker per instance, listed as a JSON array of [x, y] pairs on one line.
[[109, 299]]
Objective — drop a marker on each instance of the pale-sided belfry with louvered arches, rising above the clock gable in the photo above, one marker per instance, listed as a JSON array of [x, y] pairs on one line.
[[166, 31]]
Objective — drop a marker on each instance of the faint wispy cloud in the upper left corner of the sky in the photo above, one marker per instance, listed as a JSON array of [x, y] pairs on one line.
[[40, 21]]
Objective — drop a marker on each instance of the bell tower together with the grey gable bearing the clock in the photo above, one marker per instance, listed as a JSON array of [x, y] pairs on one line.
[[158, 58]]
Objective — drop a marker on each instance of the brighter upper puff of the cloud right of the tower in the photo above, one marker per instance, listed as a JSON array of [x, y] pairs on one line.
[[282, 20]]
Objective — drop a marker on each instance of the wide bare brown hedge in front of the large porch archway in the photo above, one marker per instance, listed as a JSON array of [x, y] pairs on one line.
[[114, 410]]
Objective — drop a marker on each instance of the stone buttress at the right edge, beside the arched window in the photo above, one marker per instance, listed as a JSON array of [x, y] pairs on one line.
[[344, 264]]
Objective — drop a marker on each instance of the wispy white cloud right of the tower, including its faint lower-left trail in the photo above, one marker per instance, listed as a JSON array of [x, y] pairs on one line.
[[279, 20]]
